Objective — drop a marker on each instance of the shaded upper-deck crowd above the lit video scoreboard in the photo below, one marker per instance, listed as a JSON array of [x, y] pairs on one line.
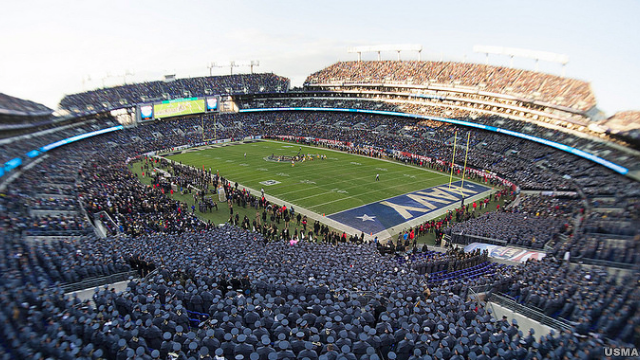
[[126, 95]]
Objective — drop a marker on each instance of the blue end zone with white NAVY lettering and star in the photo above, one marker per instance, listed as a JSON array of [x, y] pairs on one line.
[[379, 216]]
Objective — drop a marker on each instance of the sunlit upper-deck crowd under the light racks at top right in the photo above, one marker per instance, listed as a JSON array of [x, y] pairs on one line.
[[496, 79]]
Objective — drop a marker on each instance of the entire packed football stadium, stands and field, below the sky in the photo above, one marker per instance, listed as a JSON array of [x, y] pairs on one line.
[[409, 210]]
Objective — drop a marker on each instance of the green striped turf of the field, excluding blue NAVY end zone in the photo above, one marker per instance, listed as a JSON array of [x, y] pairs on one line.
[[340, 182]]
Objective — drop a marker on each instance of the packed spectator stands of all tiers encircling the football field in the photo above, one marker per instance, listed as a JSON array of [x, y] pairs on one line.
[[201, 291]]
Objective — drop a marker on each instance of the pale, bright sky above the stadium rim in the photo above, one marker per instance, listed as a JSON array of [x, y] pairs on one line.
[[53, 48]]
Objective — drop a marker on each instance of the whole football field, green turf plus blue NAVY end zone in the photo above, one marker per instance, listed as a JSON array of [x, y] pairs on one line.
[[343, 186]]
